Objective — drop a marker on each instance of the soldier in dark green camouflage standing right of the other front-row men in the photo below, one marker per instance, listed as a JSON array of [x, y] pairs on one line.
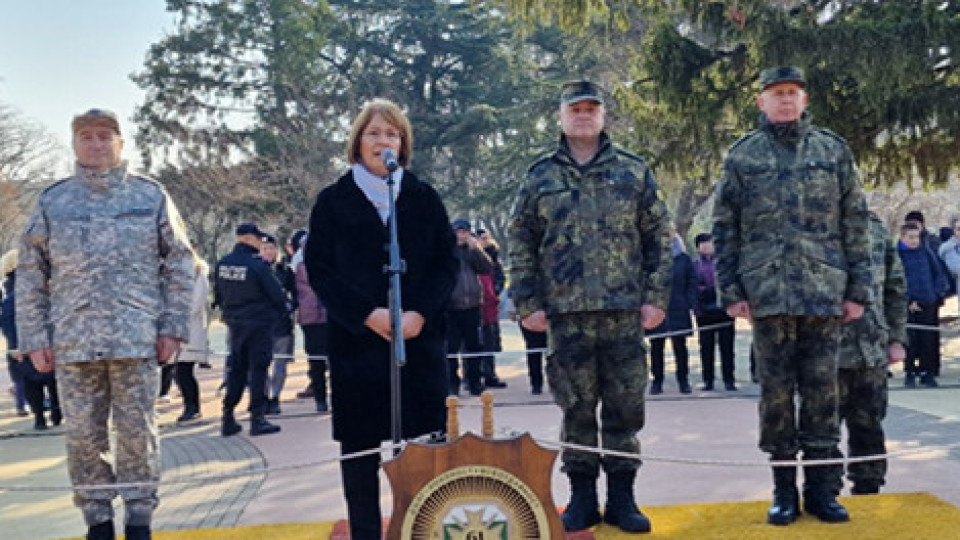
[[790, 225]]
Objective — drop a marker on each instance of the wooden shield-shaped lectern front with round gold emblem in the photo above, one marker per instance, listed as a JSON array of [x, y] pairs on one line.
[[473, 488]]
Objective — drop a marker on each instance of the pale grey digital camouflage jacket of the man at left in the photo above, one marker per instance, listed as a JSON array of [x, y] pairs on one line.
[[104, 269]]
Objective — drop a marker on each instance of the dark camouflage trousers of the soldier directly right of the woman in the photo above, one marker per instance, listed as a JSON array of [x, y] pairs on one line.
[[598, 359]]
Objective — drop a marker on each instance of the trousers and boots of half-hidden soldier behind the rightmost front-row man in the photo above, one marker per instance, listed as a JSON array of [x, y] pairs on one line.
[[863, 406]]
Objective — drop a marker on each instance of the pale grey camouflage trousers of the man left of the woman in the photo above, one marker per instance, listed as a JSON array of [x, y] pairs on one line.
[[124, 390]]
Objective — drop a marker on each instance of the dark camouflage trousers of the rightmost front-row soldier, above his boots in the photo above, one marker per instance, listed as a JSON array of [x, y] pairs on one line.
[[797, 357]]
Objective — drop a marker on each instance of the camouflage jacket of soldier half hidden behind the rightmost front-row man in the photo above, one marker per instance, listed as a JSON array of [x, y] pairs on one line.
[[884, 321]]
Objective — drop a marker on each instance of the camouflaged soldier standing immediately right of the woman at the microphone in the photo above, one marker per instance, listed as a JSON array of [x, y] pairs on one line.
[[590, 257]]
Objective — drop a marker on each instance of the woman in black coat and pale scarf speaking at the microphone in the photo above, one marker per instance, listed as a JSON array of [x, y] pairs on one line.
[[345, 257]]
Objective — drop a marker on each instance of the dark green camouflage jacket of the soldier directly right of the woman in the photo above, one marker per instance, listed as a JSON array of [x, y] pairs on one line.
[[589, 238]]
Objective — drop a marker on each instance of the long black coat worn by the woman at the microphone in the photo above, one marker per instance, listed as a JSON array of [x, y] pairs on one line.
[[345, 256]]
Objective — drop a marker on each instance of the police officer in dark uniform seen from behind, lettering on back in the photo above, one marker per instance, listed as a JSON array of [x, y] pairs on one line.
[[252, 299]]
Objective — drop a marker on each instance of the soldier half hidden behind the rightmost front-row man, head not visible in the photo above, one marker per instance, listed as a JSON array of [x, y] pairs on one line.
[[863, 359]]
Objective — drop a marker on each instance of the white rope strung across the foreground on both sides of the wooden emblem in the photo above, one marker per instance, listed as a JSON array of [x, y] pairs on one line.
[[543, 442]]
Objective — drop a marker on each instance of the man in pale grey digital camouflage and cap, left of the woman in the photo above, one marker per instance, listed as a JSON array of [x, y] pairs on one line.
[[103, 291]]
